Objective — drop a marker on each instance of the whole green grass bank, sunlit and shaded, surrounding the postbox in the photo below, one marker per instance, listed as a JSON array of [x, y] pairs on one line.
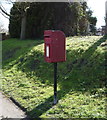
[[81, 79]]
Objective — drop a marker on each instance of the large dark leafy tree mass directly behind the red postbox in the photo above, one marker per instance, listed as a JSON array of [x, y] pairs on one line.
[[58, 16]]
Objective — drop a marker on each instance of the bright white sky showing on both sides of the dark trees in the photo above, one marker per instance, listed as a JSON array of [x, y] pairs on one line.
[[97, 6]]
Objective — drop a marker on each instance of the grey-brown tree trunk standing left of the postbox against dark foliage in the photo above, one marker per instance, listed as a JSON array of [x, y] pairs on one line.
[[23, 27]]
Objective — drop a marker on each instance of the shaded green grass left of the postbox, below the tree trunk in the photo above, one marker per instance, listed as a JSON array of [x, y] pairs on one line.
[[17, 48]]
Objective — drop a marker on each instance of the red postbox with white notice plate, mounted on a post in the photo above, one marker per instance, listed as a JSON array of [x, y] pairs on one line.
[[54, 46]]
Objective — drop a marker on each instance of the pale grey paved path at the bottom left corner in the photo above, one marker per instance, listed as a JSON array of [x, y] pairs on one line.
[[8, 109]]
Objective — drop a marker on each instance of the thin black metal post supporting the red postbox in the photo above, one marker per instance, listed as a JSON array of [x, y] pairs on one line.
[[55, 83]]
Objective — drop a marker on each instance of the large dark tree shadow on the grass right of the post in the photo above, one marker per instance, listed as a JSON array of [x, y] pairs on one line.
[[80, 70]]
